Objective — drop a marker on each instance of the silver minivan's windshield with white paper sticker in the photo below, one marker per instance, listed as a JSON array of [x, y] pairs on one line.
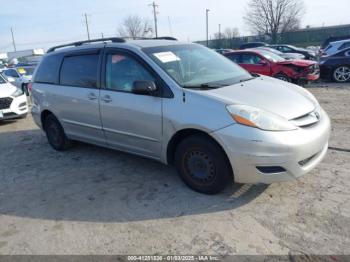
[[195, 66]]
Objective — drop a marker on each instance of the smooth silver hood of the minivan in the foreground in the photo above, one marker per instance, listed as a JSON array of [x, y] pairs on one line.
[[287, 100]]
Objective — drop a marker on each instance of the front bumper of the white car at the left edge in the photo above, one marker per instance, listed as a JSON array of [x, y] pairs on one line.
[[17, 109]]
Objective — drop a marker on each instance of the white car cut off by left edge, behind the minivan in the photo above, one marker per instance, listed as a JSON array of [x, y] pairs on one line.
[[13, 101]]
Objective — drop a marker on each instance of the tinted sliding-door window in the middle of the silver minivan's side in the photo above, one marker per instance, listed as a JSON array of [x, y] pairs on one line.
[[80, 71]]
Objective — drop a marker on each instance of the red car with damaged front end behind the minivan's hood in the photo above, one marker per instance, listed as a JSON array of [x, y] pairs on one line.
[[266, 63]]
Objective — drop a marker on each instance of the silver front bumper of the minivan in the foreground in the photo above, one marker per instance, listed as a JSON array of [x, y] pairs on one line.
[[297, 152]]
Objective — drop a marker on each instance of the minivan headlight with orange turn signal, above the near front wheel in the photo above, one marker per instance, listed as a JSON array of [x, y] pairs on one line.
[[255, 117]]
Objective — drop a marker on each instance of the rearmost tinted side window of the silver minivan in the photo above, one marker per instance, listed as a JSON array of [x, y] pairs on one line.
[[47, 71]]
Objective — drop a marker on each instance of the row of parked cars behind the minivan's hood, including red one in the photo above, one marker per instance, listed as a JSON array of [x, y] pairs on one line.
[[293, 64]]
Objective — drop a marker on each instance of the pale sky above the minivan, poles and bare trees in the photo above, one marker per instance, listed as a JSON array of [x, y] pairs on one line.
[[43, 23]]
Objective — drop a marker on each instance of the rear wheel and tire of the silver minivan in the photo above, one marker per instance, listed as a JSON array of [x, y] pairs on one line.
[[55, 134]]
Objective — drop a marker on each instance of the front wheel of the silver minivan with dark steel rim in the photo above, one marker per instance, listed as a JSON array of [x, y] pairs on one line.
[[203, 165]]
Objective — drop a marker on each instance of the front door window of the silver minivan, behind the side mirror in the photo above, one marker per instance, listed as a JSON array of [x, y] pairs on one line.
[[122, 70]]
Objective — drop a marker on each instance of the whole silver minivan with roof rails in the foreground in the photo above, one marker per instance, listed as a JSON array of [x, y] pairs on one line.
[[180, 104]]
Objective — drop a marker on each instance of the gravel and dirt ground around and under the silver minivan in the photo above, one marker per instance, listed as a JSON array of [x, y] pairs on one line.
[[91, 200]]
